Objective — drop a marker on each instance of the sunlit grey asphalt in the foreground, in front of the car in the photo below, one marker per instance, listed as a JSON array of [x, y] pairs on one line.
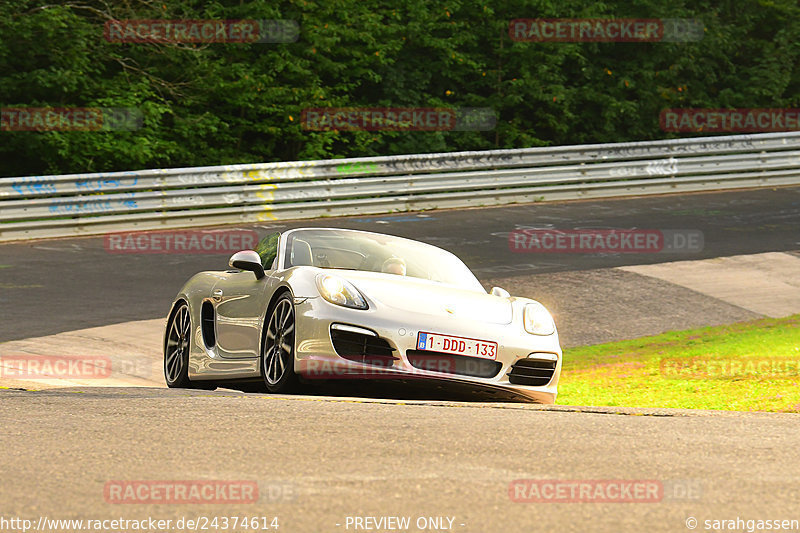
[[318, 461]]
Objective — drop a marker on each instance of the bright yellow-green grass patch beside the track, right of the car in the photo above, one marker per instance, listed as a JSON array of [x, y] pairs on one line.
[[747, 366]]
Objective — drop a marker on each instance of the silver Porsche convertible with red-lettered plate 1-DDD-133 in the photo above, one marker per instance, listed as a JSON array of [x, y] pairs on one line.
[[324, 303]]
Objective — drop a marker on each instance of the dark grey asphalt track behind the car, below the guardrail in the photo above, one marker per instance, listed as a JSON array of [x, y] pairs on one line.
[[69, 284]]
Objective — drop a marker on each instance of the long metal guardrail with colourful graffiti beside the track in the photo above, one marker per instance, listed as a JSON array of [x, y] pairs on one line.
[[85, 204]]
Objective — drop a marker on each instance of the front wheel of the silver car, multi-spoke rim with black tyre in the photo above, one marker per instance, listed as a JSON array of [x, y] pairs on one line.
[[277, 347]]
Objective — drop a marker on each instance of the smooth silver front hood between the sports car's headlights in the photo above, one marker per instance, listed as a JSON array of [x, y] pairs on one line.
[[422, 297]]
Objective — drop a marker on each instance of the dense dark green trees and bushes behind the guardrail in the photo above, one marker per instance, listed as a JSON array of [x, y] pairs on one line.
[[211, 104]]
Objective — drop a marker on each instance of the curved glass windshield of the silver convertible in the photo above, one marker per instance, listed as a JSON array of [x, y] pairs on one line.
[[372, 252]]
